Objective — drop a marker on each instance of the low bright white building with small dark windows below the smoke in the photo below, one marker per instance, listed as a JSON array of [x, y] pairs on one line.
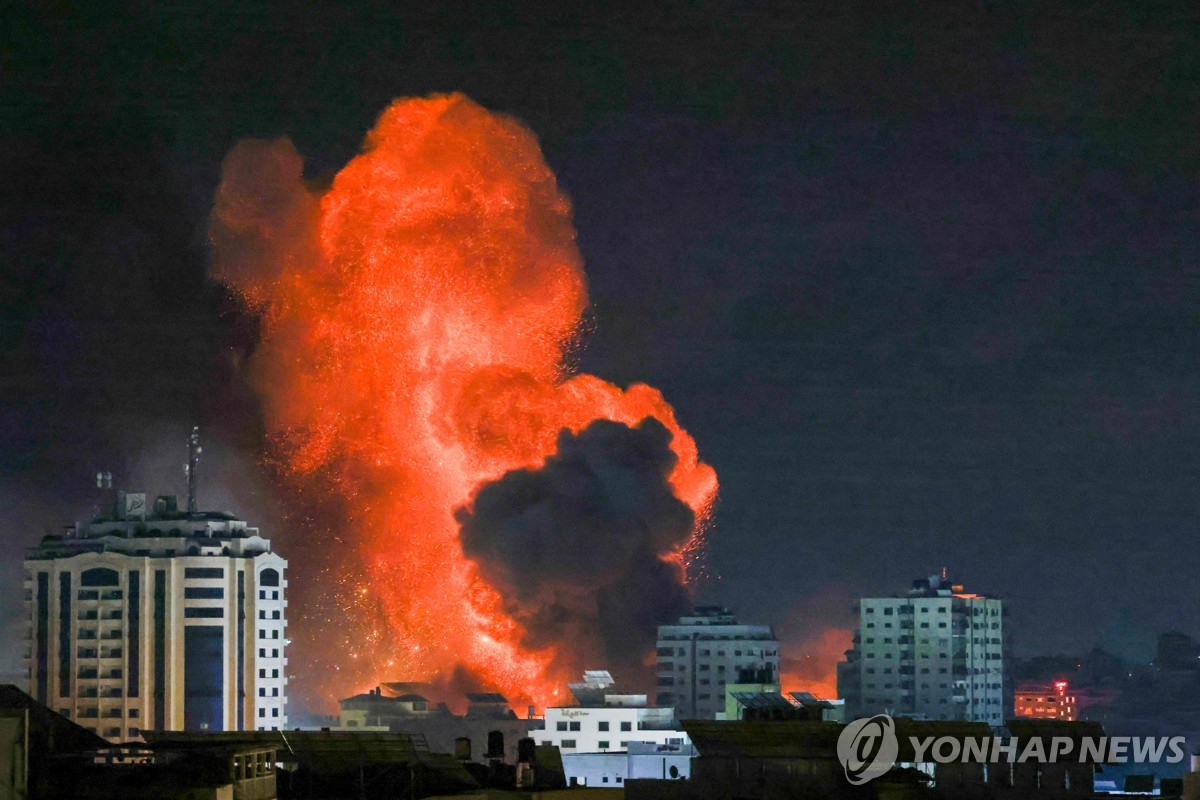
[[607, 720]]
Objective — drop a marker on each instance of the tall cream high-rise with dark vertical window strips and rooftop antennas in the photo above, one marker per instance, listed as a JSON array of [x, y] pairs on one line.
[[154, 618]]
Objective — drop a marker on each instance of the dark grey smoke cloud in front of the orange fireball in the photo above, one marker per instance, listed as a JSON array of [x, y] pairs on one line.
[[577, 548]]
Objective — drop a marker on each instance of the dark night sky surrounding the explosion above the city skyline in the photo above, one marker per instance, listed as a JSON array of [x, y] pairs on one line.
[[922, 280]]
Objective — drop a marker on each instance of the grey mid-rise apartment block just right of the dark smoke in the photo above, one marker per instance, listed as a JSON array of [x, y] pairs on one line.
[[704, 653]]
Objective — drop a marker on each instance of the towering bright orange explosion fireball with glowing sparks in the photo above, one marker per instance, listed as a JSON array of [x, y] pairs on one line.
[[417, 321]]
